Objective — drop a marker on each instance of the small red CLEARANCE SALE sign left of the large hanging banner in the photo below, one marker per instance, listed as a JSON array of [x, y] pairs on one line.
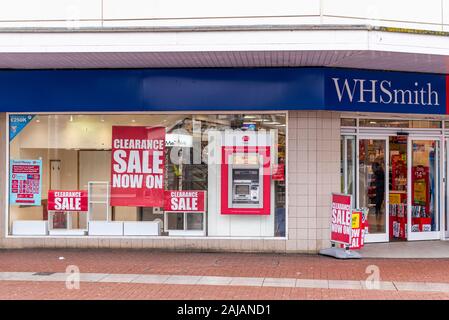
[[67, 200]]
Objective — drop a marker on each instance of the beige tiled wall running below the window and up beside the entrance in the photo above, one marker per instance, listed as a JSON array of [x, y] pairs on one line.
[[313, 173]]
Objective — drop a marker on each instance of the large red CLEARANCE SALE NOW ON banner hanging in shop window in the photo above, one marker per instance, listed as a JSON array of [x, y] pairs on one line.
[[137, 168]]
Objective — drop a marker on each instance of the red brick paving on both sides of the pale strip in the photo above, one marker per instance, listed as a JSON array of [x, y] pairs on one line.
[[211, 264]]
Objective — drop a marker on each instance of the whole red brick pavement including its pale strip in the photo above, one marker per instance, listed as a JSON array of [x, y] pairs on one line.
[[132, 274]]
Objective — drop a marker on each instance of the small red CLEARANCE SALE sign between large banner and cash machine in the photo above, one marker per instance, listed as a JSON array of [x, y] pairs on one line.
[[184, 201]]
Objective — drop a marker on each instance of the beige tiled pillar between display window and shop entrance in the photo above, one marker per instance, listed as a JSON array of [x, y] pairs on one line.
[[314, 173]]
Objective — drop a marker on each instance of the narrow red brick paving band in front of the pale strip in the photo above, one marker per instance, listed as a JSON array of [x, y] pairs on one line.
[[99, 291]]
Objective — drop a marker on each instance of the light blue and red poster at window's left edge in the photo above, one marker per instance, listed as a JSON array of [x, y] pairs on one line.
[[25, 182]]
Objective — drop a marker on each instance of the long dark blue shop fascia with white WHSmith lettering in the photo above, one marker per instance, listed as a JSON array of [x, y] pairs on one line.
[[220, 89]]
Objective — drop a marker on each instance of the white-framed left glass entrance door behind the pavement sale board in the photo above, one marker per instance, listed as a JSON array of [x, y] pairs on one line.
[[372, 185]]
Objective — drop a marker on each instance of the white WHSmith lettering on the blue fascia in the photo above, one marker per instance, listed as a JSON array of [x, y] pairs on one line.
[[376, 91]]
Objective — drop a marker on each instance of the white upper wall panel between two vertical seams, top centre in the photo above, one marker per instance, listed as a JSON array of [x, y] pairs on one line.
[[151, 9]]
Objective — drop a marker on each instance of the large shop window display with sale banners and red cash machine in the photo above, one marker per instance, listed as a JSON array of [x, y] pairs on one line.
[[148, 174]]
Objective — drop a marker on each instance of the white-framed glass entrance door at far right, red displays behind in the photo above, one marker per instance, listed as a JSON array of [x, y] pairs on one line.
[[423, 205]]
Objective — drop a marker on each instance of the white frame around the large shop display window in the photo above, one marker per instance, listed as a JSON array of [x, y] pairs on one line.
[[6, 205]]
